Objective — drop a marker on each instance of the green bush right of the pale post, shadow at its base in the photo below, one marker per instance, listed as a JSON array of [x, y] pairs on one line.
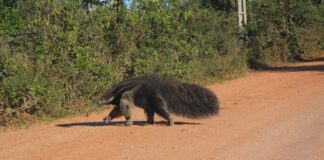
[[279, 31]]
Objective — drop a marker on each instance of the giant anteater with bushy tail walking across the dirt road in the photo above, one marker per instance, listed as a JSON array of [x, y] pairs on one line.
[[160, 95]]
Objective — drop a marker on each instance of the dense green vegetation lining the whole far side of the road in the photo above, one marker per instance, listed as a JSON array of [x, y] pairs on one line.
[[57, 54]]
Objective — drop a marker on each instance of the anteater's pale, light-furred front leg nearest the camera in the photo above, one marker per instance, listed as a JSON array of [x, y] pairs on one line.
[[127, 106]]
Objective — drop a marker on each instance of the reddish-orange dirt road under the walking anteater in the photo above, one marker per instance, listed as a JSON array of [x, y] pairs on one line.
[[272, 115]]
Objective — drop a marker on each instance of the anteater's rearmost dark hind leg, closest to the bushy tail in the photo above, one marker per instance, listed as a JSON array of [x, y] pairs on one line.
[[161, 108]]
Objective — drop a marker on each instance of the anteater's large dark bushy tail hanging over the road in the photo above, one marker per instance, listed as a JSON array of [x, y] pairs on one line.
[[189, 100]]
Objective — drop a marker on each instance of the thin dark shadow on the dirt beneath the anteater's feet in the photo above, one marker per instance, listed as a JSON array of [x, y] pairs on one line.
[[120, 123]]
